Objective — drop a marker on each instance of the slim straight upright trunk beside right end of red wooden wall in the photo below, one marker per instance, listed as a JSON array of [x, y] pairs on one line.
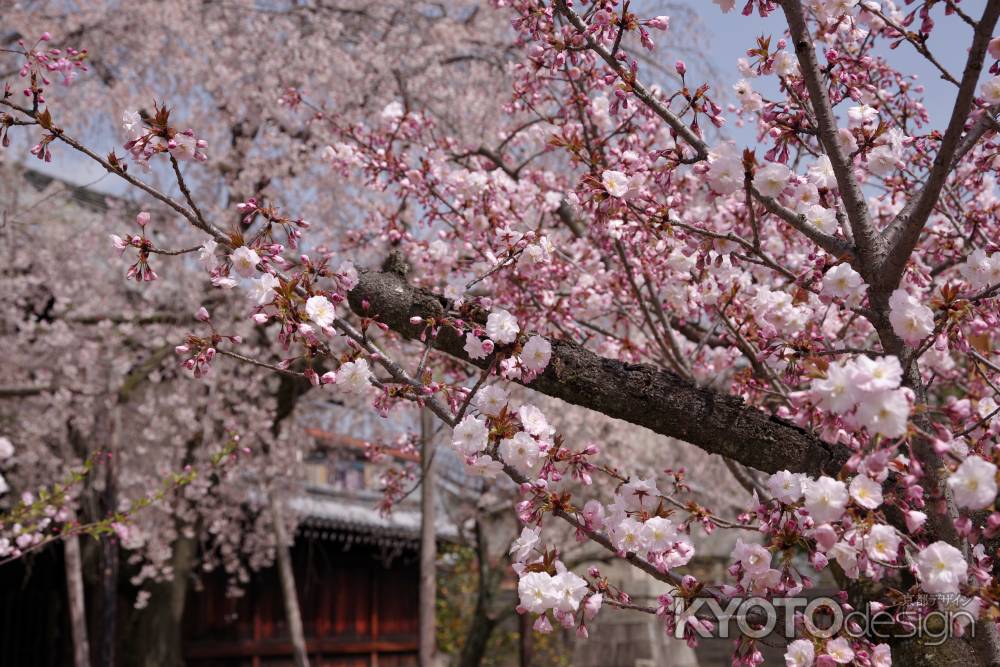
[[428, 545]]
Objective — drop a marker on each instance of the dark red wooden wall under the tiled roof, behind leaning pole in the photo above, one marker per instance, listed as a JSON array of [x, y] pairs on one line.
[[359, 609]]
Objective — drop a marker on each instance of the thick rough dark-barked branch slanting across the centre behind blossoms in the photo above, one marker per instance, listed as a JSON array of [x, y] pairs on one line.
[[637, 393]]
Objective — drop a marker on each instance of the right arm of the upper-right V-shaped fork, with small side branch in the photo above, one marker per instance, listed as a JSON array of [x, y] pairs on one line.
[[904, 232]]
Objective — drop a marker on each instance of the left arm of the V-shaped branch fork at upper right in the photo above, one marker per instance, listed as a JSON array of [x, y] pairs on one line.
[[866, 237]]
